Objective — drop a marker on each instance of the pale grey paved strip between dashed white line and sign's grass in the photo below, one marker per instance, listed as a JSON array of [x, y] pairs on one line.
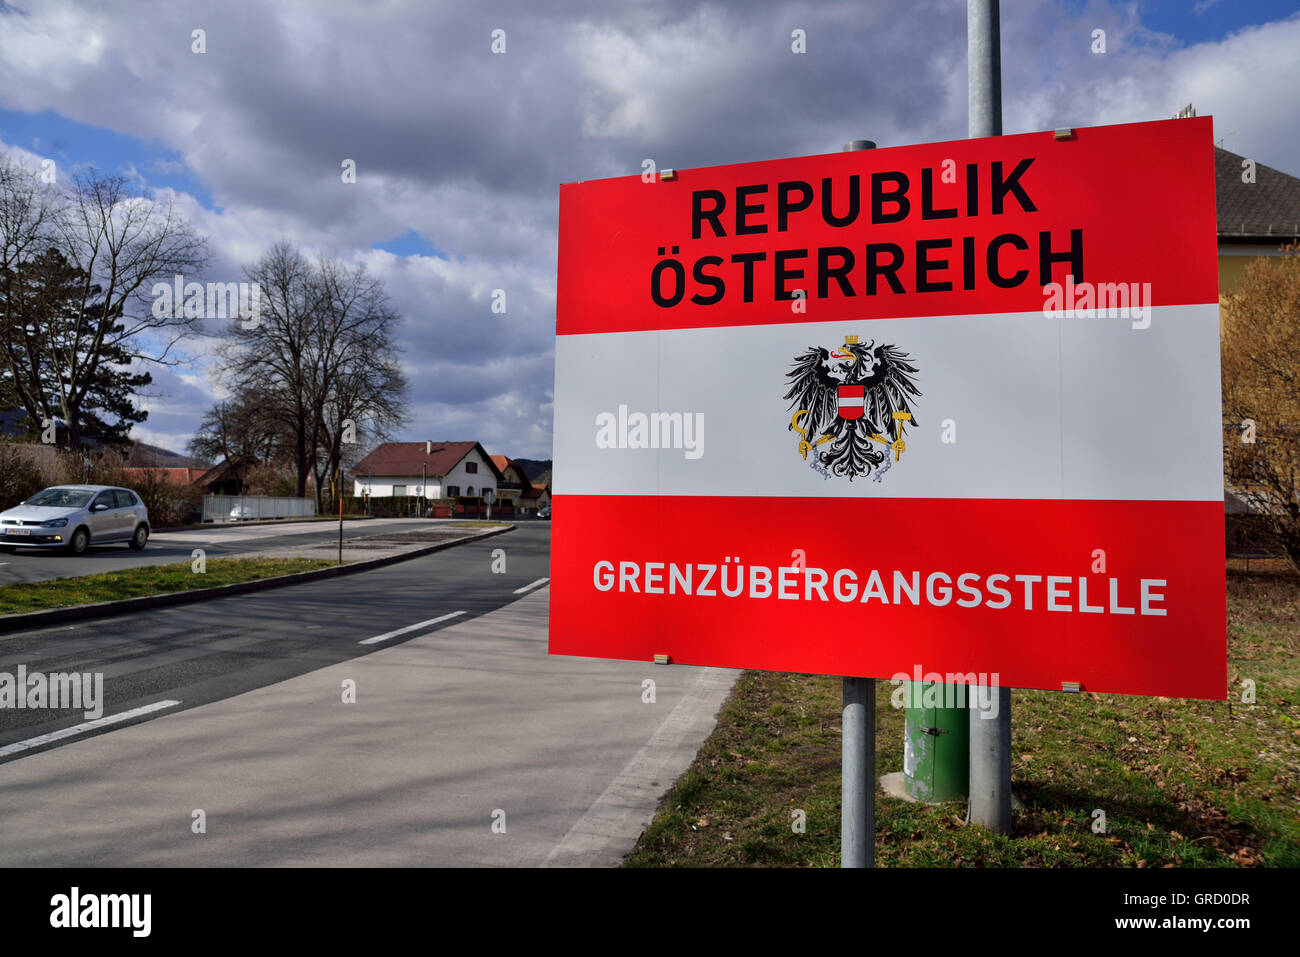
[[452, 733]]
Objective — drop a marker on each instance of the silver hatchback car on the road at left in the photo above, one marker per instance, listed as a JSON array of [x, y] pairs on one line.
[[75, 518]]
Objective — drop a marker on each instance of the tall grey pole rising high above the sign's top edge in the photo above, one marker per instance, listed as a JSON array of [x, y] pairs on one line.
[[990, 738]]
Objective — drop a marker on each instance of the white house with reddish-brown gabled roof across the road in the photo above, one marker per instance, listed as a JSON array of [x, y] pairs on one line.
[[432, 470]]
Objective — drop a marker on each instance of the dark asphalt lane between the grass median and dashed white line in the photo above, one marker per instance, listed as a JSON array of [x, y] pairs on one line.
[[216, 649]]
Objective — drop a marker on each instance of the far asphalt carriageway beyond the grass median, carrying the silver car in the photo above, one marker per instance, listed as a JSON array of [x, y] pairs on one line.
[[168, 548]]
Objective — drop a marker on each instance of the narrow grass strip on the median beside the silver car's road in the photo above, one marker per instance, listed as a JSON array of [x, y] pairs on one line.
[[135, 583]]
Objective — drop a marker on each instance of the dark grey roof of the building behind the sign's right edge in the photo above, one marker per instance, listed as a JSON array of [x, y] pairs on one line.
[[1267, 210]]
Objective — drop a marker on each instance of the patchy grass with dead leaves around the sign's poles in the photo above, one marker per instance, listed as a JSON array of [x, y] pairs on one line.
[[1182, 783]]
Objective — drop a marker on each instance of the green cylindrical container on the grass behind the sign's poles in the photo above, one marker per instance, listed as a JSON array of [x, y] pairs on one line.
[[937, 744]]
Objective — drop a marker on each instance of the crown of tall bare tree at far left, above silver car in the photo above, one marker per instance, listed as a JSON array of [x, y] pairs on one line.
[[73, 332]]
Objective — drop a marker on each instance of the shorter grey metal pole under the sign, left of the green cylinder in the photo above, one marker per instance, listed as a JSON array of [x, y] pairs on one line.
[[859, 741]]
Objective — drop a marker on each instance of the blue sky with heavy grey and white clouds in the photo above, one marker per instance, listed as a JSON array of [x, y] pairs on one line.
[[460, 151]]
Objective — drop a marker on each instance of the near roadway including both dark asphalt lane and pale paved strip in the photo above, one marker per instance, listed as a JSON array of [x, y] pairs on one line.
[[454, 721]]
